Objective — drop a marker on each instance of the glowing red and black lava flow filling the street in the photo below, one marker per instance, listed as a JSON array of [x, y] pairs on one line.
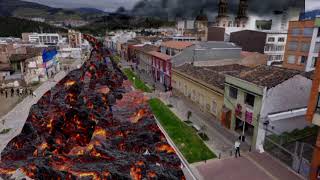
[[91, 126]]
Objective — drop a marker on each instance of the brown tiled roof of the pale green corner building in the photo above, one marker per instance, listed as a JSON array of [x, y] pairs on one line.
[[267, 76]]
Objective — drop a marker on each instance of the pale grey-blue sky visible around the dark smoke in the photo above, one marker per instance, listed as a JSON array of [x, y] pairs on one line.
[[112, 5]]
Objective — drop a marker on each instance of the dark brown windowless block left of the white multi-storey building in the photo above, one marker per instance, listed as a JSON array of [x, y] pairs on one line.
[[249, 40]]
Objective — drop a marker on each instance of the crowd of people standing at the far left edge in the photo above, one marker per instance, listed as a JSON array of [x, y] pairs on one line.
[[18, 92]]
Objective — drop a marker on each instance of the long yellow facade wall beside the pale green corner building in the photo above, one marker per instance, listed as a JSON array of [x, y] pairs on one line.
[[209, 99]]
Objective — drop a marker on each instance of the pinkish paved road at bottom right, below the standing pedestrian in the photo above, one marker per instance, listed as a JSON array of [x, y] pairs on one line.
[[251, 166]]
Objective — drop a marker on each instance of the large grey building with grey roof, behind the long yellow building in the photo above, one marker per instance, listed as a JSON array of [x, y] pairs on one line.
[[211, 53]]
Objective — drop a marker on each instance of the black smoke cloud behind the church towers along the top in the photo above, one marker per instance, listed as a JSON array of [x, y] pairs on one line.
[[191, 8]]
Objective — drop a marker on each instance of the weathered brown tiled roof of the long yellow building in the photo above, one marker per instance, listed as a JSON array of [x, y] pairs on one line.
[[214, 76]]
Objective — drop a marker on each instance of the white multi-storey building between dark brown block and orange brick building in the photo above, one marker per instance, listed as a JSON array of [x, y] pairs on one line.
[[275, 46]]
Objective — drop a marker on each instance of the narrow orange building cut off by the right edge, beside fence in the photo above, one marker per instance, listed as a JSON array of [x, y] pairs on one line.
[[313, 117]]
